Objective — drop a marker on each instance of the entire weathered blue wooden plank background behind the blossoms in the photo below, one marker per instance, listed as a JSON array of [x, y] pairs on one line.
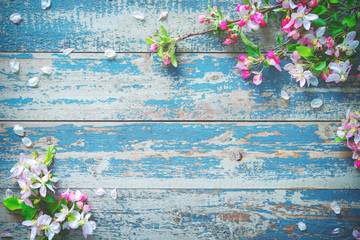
[[170, 139]]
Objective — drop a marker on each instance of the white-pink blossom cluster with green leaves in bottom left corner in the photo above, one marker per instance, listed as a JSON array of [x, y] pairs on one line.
[[46, 215]]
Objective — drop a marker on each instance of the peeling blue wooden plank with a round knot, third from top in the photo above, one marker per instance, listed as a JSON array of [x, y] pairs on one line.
[[188, 155]]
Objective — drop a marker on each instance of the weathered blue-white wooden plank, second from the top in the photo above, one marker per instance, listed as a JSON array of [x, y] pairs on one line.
[[138, 87]]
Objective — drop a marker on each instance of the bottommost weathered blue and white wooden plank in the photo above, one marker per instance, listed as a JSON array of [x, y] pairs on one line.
[[215, 214]]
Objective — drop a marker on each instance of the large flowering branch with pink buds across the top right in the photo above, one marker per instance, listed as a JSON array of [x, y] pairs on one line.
[[319, 41]]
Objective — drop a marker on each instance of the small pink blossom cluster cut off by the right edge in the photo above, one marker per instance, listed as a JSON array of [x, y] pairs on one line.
[[349, 130]]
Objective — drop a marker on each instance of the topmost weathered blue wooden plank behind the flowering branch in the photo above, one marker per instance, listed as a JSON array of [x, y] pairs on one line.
[[90, 26]]
